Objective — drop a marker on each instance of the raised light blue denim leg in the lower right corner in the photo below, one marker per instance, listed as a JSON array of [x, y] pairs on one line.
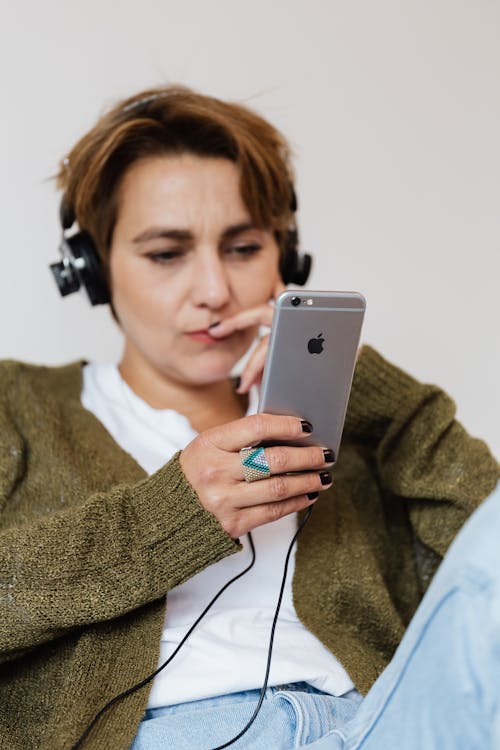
[[441, 691]]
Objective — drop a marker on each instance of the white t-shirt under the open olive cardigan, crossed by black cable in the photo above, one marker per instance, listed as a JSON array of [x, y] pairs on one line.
[[227, 652]]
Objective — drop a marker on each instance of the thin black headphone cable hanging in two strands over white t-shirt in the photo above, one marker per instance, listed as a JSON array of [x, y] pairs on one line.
[[150, 677]]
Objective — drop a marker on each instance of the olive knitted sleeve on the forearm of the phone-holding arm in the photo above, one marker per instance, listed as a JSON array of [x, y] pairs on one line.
[[108, 555]]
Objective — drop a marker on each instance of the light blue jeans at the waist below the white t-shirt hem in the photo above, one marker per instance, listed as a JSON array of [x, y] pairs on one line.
[[290, 716]]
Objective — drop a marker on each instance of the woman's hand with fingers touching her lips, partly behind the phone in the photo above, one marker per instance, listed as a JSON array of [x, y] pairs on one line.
[[254, 316]]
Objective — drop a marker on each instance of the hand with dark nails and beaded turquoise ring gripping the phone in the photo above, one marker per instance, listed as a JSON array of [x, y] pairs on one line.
[[212, 465]]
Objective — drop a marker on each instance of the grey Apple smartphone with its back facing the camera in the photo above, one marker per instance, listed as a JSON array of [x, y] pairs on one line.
[[310, 361]]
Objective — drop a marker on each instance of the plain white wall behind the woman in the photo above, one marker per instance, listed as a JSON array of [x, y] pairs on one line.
[[393, 108]]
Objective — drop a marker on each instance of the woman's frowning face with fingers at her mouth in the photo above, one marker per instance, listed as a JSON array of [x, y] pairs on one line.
[[184, 255]]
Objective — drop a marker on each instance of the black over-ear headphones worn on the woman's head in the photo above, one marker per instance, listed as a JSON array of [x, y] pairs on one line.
[[82, 266]]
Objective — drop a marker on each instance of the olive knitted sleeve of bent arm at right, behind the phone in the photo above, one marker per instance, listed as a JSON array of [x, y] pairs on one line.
[[422, 454]]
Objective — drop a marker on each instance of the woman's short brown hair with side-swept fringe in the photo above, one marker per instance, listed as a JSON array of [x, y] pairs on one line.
[[174, 120]]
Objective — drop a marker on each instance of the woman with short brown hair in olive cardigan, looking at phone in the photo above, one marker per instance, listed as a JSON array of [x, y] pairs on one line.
[[122, 484]]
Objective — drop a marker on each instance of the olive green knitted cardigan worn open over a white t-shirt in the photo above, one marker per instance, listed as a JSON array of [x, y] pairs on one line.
[[89, 545]]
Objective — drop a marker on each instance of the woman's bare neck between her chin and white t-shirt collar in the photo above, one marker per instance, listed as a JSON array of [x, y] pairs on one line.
[[204, 406]]
